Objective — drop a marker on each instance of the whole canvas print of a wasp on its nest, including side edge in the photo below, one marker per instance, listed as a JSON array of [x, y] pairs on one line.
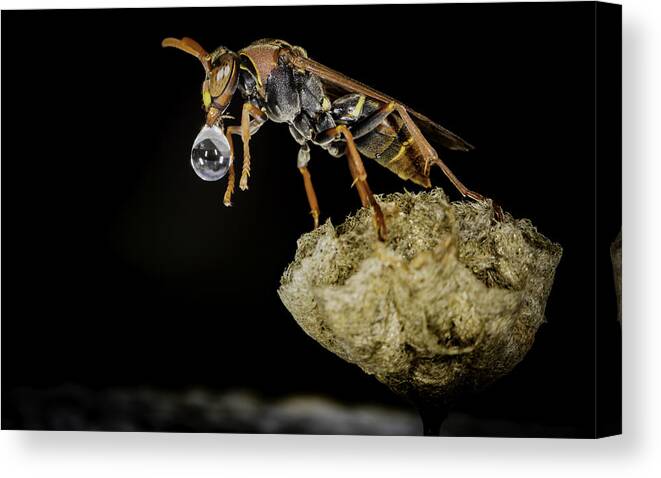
[[373, 220]]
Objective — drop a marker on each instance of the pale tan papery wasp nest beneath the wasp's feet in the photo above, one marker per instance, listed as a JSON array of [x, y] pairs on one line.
[[450, 302]]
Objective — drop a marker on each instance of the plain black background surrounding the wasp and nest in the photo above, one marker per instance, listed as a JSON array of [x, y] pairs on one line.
[[121, 268]]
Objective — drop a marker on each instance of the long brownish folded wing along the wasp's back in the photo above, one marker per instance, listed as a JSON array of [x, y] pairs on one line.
[[341, 83]]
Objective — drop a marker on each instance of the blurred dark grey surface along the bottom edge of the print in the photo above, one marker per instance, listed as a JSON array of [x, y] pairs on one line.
[[198, 410]]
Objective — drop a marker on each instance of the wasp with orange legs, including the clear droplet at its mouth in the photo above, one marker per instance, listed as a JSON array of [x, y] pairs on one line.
[[279, 82]]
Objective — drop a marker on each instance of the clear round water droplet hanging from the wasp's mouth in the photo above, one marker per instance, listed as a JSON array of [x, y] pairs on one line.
[[210, 156]]
